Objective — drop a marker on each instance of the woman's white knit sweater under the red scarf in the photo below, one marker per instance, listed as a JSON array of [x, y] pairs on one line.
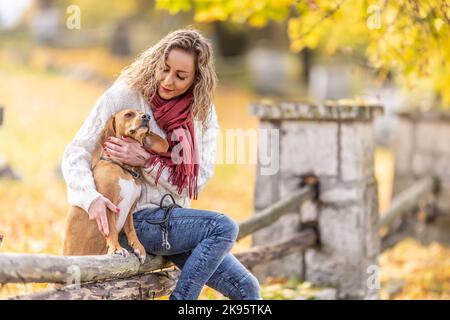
[[76, 162]]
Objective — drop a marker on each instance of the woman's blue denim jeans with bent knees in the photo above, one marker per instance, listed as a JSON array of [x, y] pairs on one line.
[[200, 243]]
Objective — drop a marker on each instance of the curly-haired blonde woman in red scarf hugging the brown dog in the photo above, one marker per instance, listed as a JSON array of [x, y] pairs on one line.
[[173, 82]]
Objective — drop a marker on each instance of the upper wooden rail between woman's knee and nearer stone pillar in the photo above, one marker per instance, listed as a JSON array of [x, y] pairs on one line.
[[272, 213]]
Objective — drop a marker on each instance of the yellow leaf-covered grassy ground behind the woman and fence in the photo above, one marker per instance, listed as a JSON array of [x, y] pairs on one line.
[[43, 112]]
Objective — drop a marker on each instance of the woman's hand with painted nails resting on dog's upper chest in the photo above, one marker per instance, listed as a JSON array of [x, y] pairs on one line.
[[126, 150]]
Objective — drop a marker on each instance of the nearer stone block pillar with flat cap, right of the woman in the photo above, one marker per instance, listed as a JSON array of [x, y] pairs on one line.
[[336, 143]]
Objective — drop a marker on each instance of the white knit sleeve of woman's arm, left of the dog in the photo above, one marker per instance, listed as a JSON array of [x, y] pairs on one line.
[[77, 158]]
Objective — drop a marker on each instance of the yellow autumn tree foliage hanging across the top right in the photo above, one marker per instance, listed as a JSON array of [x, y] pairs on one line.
[[409, 38]]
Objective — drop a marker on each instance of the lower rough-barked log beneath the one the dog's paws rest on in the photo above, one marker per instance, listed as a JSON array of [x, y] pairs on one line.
[[146, 286]]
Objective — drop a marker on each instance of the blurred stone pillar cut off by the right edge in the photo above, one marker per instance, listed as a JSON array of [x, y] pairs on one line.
[[421, 146]]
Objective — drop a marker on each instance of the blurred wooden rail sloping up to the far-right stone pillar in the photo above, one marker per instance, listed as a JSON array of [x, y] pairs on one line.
[[408, 199]]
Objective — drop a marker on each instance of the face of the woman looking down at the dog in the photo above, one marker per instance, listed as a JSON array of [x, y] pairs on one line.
[[178, 74]]
